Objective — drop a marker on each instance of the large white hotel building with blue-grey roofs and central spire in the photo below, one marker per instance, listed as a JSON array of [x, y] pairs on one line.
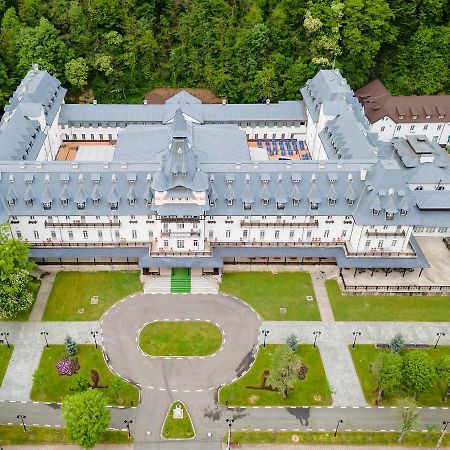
[[175, 185]]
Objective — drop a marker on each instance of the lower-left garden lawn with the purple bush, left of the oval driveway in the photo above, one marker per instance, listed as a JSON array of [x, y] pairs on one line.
[[50, 386]]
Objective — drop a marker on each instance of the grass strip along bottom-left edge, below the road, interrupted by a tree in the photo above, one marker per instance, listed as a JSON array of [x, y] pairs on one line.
[[14, 435]]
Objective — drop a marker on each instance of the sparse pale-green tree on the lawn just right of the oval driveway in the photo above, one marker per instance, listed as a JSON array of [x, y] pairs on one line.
[[284, 372]]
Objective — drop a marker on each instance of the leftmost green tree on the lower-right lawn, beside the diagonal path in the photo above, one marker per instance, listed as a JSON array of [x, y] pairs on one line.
[[387, 370]]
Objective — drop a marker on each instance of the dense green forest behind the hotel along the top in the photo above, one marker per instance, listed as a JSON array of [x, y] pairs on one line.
[[244, 50]]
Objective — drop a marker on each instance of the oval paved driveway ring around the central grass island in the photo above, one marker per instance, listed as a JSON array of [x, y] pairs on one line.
[[238, 323]]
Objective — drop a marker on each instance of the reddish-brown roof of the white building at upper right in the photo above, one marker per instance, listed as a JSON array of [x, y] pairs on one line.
[[378, 103]]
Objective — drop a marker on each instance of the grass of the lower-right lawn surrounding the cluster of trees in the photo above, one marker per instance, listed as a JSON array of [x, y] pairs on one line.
[[364, 355]]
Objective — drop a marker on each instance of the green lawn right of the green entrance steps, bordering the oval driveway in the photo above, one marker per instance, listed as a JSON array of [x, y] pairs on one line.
[[267, 293]]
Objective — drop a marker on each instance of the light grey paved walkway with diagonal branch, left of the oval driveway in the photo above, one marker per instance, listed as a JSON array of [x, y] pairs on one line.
[[28, 346]]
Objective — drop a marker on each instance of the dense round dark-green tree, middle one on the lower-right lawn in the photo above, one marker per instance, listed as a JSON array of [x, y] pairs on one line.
[[418, 372]]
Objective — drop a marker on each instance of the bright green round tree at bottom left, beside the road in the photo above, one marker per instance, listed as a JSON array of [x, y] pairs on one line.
[[86, 417]]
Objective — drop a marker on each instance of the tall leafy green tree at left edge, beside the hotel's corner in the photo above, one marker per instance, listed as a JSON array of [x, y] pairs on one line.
[[15, 269]]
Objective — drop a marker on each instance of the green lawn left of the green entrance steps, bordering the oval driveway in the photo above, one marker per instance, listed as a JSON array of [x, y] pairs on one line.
[[73, 290]]
